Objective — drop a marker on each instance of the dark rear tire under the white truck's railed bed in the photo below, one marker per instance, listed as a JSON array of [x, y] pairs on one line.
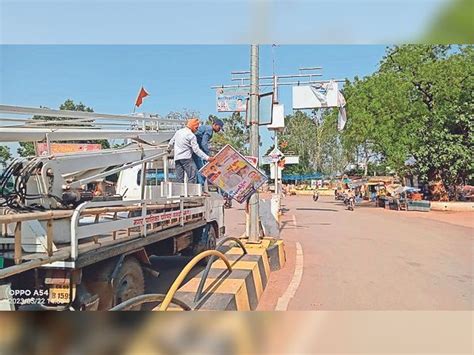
[[129, 282]]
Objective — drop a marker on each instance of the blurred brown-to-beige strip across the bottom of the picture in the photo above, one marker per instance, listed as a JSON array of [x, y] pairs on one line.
[[363, 332]]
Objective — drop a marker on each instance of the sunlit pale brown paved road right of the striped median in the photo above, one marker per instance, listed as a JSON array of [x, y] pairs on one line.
[[374, 259]]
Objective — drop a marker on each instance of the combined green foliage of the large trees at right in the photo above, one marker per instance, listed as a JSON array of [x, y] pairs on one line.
[[418, 105]]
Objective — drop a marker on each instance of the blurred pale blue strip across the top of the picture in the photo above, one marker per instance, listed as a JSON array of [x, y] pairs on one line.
[[215, 21]]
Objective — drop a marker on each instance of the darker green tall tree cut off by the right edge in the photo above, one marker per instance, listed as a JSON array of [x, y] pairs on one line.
[[442, 83]]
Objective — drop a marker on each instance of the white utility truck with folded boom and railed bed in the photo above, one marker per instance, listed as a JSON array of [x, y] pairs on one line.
[[79, 225]]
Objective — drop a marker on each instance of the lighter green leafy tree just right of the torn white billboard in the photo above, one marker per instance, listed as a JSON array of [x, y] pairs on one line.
[[377, 128]]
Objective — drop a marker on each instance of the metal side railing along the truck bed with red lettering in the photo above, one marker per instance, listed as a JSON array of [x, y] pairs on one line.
[[93, 225]]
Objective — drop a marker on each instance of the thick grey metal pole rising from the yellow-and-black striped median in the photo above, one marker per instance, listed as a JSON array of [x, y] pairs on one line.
[[254, 235]]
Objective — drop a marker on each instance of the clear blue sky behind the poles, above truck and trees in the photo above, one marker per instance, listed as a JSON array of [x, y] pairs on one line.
[[108, 77]]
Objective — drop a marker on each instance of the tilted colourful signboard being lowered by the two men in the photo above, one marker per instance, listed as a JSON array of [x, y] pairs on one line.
[[234, 174]]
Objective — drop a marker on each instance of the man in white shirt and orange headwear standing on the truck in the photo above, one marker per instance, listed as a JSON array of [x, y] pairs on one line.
[[185, 143]]
